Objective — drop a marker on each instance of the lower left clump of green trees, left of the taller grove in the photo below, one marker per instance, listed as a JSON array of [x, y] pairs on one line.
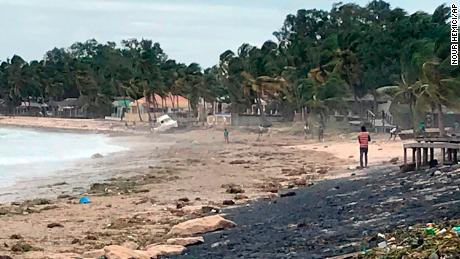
[[96, 73]]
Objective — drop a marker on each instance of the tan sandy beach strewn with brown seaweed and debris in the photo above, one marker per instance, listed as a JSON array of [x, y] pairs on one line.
[[138, 195]]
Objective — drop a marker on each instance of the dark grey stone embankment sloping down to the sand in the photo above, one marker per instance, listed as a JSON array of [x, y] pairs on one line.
[[331, 217]]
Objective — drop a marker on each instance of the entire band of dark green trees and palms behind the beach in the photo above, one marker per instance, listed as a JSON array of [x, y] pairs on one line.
[[318, 58]]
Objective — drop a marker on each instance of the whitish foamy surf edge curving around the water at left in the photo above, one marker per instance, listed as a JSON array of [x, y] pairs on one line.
[[75, 173]]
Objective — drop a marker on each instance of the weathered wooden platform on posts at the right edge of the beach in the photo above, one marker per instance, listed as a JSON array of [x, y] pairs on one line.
[[424, 151]]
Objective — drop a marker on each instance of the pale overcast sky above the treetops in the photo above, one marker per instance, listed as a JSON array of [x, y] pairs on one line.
[[188, 30]]
